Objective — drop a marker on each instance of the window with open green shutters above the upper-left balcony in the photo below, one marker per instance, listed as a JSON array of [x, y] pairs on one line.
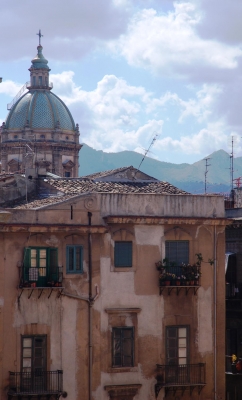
[[41, 266]]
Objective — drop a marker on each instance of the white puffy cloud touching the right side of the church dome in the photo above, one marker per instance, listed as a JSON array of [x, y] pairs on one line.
[[111, 117]]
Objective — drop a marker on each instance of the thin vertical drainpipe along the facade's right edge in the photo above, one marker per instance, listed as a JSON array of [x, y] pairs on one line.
[[215, 315]]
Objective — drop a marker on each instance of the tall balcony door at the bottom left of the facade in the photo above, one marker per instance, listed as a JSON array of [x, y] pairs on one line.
[[33, 368]]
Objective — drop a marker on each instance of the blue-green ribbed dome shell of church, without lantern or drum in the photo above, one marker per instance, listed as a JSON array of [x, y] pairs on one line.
[[40, 110]]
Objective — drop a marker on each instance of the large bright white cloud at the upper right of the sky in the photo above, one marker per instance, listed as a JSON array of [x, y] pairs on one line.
[[169, 43]]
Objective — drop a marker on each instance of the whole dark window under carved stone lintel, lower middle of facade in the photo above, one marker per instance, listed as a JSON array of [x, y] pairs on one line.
[[123, 347]]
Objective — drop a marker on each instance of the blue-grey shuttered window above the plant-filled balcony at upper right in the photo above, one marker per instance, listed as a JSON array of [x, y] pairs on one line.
[[177, 251]]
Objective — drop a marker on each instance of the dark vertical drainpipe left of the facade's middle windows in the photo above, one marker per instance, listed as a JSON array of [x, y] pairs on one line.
[[90, 305]]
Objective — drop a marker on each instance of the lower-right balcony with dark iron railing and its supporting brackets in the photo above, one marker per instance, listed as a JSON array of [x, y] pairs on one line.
[[180, 377]]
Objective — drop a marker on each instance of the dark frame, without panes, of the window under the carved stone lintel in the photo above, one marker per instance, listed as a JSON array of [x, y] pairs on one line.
[[122, 329]]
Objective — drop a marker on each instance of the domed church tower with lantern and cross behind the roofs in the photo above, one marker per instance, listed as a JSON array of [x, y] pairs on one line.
[[39, 132]]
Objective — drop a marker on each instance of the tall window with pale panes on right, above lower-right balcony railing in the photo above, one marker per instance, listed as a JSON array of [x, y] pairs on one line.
[[177, 345]]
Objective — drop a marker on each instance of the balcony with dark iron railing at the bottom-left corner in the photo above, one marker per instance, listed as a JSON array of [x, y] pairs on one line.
[[40, 383]]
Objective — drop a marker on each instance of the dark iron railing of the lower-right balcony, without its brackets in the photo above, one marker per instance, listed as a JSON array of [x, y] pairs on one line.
[[184, 374]]
